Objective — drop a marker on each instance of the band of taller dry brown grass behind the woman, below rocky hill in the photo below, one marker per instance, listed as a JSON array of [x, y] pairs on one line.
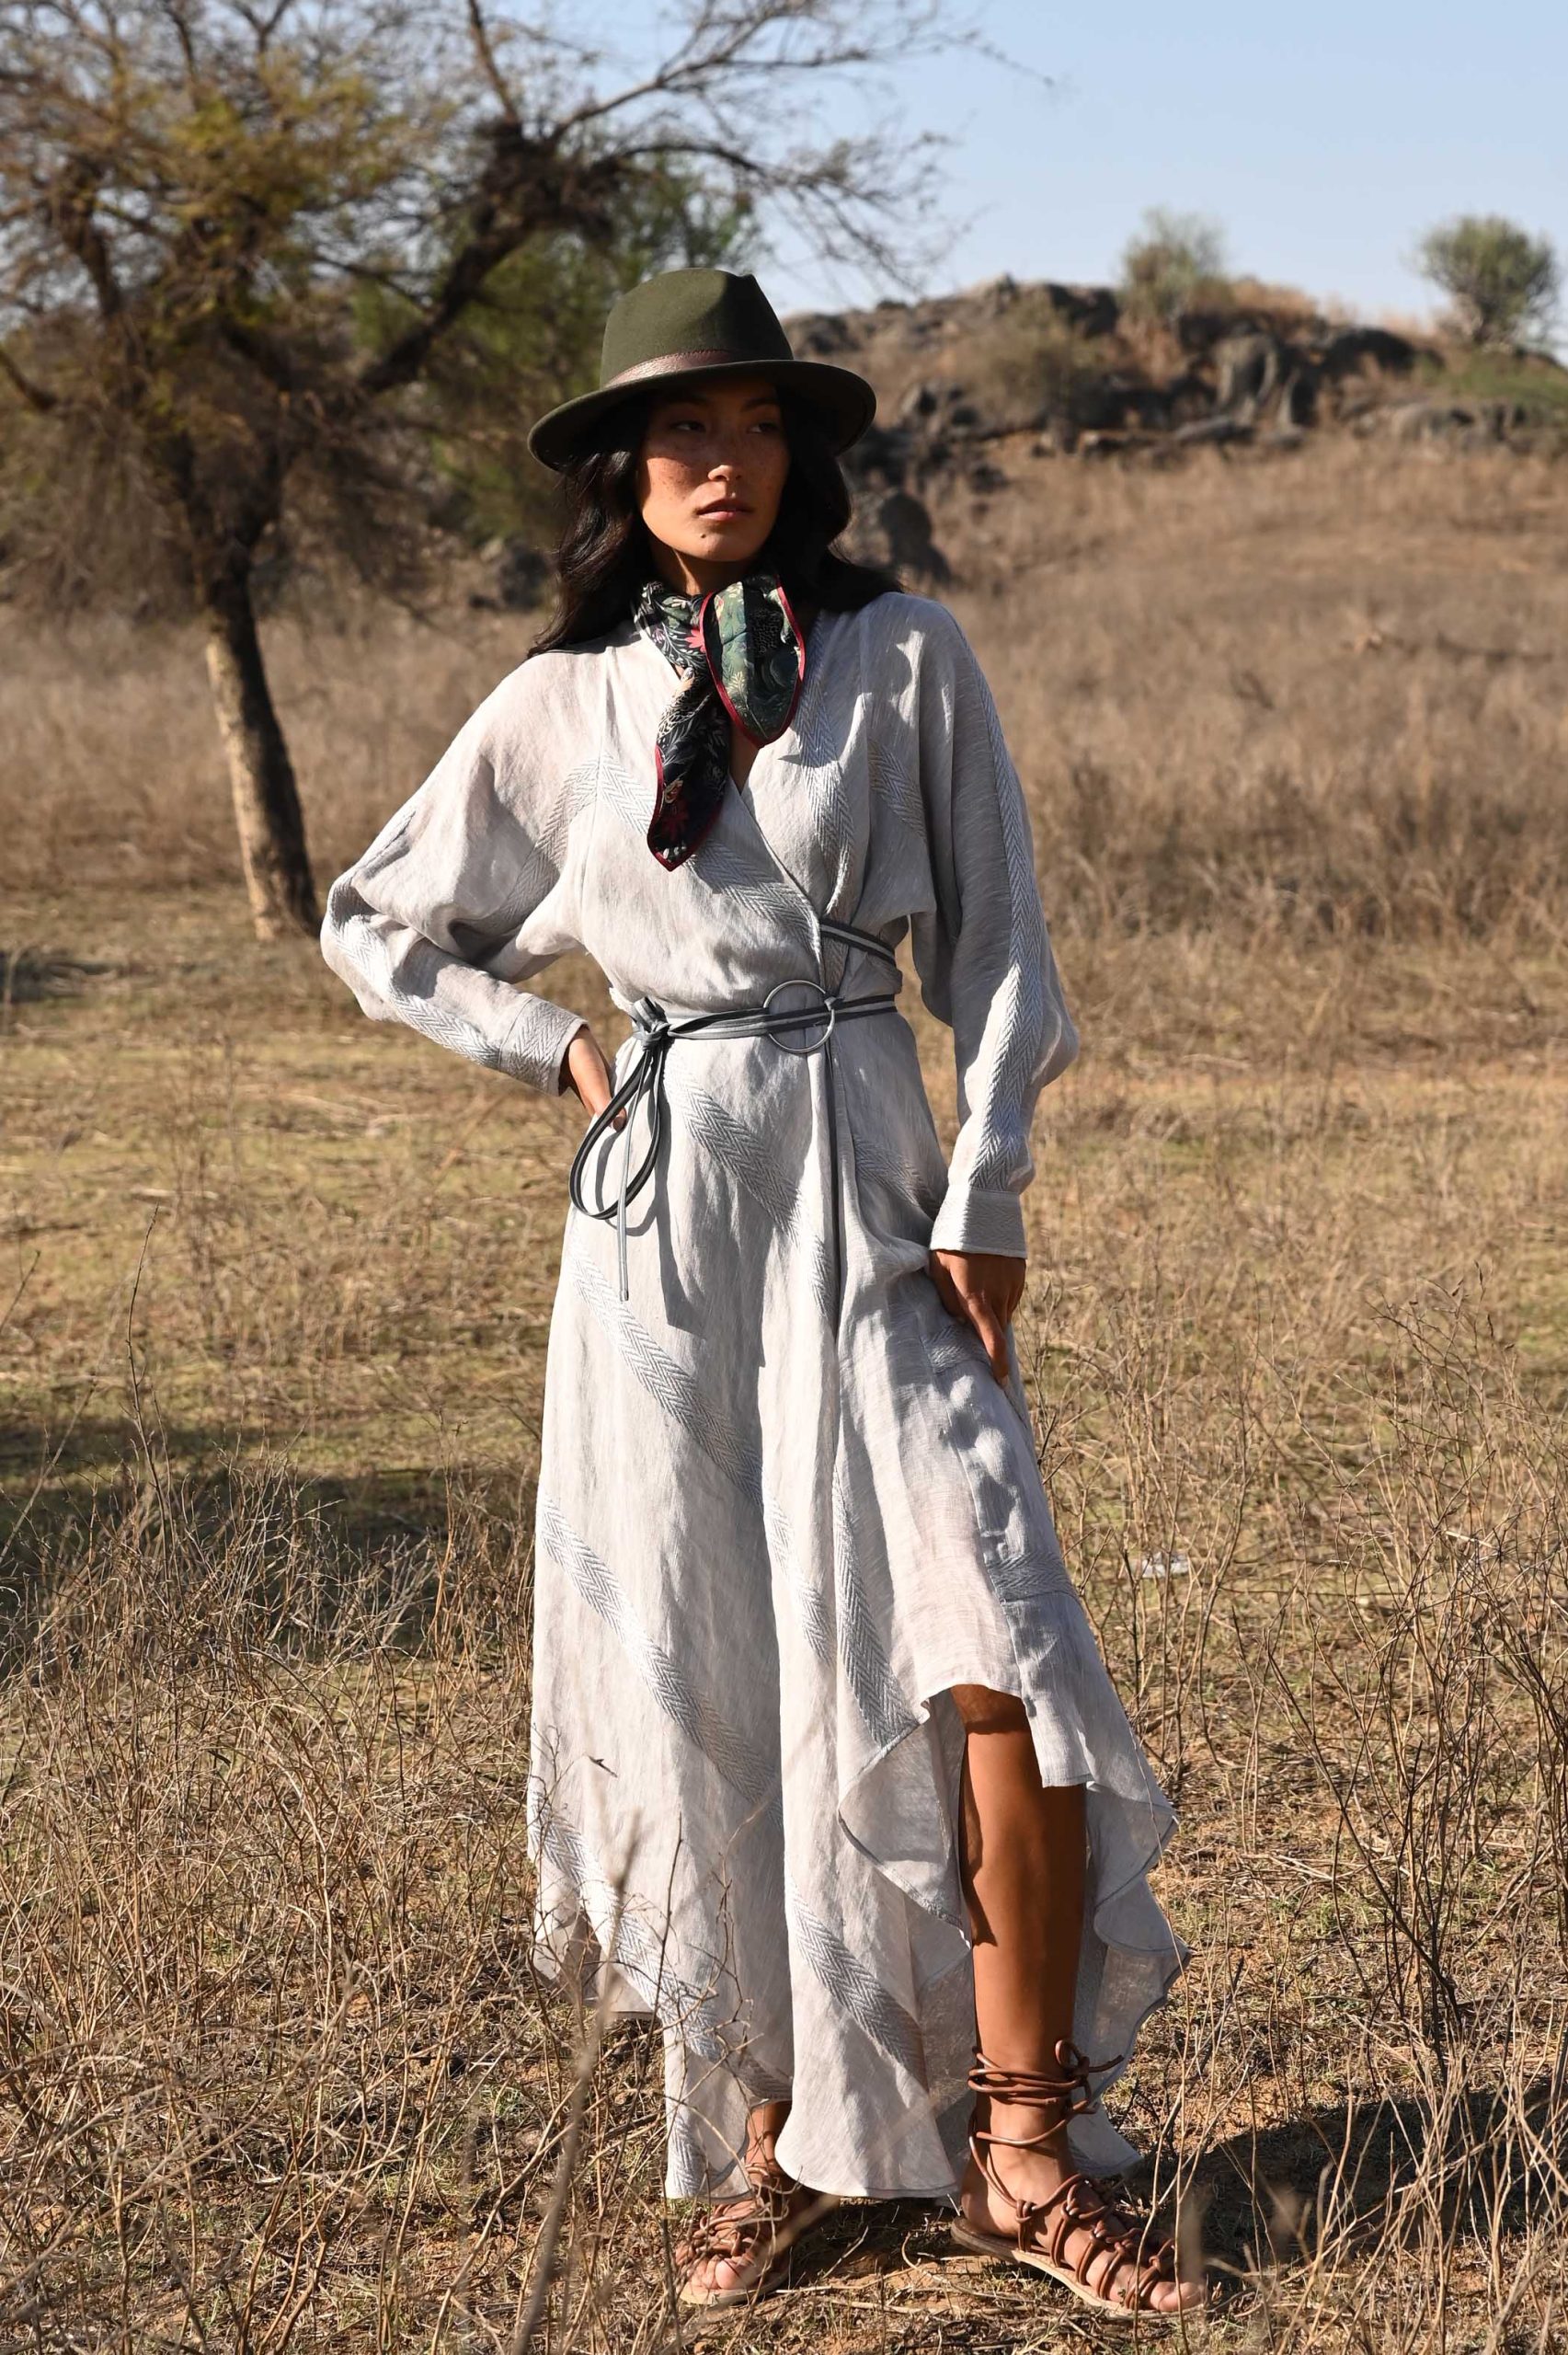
[[1280, 698]]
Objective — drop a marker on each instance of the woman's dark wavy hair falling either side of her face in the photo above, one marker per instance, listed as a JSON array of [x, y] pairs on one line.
[[604, 555]]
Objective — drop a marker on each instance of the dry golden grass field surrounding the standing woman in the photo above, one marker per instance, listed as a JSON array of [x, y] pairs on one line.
[[274, 1296]]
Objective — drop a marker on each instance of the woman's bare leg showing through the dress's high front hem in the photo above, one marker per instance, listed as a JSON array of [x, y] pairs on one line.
[[1025, 1855]]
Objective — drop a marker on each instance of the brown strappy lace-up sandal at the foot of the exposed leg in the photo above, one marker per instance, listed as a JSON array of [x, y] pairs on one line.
[[1091, 2205]]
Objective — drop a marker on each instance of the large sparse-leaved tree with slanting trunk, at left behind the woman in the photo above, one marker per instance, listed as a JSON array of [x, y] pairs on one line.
[[239, 241]]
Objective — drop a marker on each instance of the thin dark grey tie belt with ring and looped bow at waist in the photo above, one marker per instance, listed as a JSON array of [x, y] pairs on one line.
[[762, 1021]]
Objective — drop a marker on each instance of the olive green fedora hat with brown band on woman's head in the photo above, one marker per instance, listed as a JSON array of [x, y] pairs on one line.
[[700, 324]]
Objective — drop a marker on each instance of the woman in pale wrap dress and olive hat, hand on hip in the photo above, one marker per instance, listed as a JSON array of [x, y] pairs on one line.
[[828, 1772]]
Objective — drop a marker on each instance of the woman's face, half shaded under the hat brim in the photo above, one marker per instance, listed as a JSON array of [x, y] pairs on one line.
[[710, 477]]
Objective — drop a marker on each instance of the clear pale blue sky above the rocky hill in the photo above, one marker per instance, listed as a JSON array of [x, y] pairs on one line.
[[1324, 140]]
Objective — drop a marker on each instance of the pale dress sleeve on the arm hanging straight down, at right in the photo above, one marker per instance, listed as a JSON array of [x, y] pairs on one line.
[[983, 957]]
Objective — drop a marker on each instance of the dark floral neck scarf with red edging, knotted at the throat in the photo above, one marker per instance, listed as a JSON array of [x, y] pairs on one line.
[[743, 658]]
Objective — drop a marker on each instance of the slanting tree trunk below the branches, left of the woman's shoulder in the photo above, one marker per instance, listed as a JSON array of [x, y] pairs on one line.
[[260, 771]]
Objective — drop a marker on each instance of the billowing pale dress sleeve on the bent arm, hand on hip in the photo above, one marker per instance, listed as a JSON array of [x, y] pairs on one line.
[[470, 889]]
